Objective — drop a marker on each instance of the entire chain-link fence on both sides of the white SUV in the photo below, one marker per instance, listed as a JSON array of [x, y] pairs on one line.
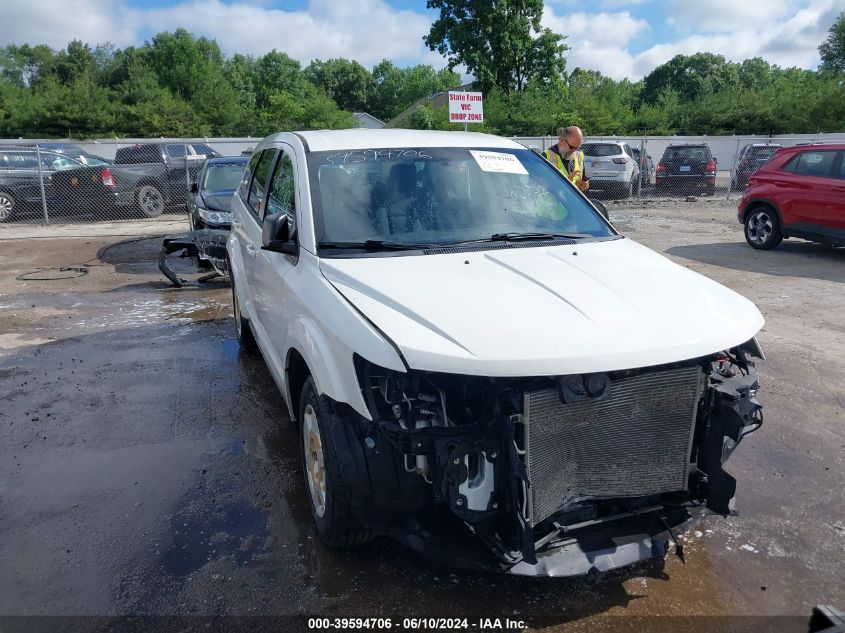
[[52, 182]]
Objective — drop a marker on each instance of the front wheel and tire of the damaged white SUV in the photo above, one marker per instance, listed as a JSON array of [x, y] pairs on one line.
[[328, 497]]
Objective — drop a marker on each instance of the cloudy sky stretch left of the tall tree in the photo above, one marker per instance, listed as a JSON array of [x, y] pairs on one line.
[[365, 30]]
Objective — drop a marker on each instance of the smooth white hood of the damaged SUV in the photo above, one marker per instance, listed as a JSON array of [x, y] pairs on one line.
[[597, 306]]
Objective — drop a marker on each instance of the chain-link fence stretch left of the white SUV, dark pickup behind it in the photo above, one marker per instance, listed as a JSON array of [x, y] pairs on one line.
[[50, 182]]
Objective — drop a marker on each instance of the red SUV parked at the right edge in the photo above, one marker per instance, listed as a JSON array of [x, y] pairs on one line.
[[799, 193]]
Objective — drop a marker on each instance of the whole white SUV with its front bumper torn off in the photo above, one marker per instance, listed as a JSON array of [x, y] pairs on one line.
[[478, 363]]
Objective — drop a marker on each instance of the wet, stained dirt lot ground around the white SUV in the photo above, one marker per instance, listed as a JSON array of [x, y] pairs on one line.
[[147, 467]]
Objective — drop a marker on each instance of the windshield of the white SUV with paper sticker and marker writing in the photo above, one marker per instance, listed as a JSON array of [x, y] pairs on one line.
[[442, 196]]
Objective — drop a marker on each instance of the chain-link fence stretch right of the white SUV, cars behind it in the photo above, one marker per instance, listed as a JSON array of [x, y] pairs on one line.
[[673, 167]]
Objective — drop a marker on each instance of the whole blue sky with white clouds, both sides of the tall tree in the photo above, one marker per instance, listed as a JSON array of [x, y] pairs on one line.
[[620, 38]]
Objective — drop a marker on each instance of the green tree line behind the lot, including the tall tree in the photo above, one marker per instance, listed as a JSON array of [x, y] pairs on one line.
[[180, 85]]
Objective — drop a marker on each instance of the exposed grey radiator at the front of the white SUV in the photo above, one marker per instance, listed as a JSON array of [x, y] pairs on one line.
[[635, 443]]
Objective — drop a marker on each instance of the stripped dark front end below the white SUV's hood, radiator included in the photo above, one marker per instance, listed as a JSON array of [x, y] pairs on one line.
[[547, 476]]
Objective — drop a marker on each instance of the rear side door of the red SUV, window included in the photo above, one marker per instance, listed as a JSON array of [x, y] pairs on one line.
[[803, 189]]
